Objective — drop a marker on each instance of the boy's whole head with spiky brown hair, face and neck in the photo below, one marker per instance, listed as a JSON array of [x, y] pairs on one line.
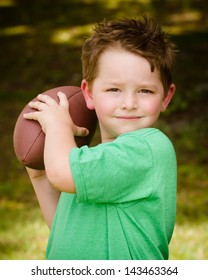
[[127, 71]]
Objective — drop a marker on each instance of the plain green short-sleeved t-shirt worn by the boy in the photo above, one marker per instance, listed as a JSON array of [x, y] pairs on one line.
[[125, 203]]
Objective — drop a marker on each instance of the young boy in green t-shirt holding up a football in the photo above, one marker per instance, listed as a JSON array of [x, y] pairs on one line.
[[118, 199]]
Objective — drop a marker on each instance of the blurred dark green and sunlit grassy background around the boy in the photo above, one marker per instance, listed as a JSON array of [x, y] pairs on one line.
[[40, 48]]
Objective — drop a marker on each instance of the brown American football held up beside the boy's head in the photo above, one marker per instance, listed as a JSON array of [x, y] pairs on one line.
[[28, 137]]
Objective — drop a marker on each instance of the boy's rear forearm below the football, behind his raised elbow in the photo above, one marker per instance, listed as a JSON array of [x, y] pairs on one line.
[[47, 195]]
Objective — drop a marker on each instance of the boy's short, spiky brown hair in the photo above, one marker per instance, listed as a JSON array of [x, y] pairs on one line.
[[143, 37]]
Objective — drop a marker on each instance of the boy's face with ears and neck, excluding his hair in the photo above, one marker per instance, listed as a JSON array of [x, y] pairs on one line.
[[125, 94]]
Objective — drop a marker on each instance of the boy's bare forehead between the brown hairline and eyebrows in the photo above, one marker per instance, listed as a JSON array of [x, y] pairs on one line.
[[117, 68]]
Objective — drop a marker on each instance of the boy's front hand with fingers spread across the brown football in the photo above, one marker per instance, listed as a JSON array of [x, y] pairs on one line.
[[51, 114]]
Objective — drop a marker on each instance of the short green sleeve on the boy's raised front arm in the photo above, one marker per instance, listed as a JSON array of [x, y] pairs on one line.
[[115, 172]]
